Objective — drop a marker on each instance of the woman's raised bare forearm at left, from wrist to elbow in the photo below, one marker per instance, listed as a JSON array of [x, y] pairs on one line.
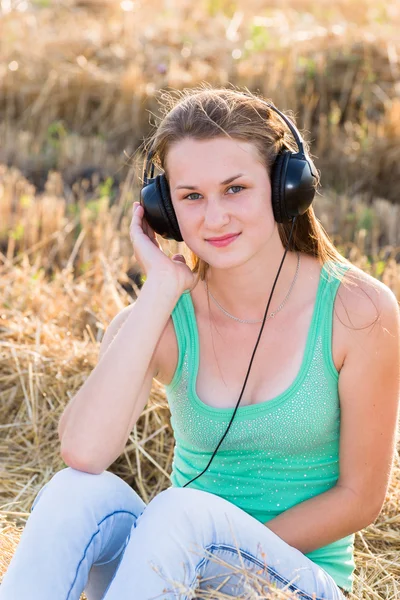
[[101, 415]]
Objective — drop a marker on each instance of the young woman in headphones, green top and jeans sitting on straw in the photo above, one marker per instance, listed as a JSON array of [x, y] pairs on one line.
[[306, 460]]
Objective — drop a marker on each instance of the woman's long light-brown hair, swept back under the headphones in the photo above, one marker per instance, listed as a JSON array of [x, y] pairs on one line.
[[205, 112]]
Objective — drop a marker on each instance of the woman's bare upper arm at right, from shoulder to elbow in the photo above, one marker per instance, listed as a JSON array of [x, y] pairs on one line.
[[369, 391]]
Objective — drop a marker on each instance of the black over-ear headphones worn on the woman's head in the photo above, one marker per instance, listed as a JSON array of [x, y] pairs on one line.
[[293, 178]]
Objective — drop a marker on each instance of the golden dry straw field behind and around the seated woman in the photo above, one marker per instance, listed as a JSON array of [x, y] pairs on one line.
[[79, 91]]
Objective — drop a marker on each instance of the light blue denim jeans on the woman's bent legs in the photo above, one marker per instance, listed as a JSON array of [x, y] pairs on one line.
[[93, 533]]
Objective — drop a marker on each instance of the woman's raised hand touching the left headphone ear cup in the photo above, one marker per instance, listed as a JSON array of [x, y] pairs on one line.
[[153, 261]]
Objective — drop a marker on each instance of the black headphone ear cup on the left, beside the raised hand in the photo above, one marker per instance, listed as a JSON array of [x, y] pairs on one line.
[[158, 210]]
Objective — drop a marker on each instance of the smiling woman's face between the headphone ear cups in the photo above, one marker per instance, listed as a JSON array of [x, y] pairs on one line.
[[218, 187]]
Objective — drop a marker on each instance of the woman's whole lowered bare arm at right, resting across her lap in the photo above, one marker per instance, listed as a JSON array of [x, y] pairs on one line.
[[369, 390]]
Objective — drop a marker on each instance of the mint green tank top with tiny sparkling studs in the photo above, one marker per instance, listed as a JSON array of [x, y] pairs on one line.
[[277, 453]]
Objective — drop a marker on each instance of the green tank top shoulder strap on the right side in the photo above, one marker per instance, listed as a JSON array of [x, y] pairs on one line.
[[332, 274]]
